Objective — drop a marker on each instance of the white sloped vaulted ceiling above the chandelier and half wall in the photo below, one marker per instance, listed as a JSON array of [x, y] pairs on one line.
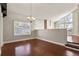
[[41, 10]]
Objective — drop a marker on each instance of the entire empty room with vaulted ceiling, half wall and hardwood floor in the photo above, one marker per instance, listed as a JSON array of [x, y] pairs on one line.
[[39, 29]]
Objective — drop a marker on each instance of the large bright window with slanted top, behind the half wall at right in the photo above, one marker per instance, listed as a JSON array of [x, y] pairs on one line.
[[65, 23]]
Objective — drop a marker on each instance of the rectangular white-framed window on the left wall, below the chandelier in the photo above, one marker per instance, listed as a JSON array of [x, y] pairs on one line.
[[22, 28]]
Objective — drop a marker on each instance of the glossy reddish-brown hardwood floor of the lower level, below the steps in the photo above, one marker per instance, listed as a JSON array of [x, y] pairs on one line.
[[36, 47]]
